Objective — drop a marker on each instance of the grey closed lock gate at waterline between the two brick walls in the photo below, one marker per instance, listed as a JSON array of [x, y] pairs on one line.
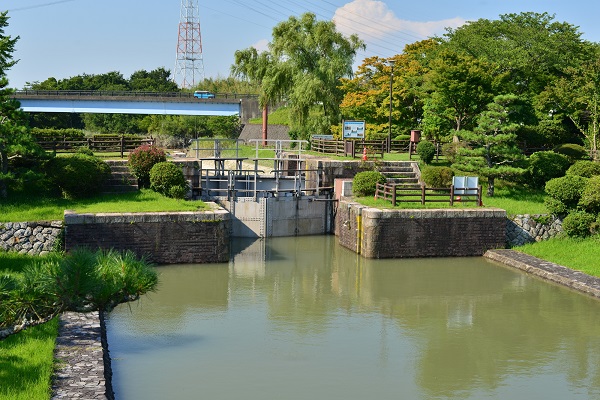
[[279, 216]]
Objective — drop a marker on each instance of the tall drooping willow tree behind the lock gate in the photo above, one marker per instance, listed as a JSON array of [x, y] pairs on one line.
[[304, 64]]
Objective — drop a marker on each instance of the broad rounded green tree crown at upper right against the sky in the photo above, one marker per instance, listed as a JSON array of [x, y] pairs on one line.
[[529, 49]]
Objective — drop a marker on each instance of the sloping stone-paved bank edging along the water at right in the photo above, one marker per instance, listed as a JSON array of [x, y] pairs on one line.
[[544, 269]]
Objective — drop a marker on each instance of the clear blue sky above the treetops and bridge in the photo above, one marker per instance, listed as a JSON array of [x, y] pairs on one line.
[[64, 38]]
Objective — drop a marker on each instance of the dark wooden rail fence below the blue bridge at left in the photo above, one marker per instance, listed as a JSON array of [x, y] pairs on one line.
[[115, 143]]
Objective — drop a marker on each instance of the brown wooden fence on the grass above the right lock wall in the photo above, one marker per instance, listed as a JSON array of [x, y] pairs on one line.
[[400, 193]]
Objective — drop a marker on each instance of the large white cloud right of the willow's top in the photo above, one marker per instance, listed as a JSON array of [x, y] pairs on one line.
[[372, 19]]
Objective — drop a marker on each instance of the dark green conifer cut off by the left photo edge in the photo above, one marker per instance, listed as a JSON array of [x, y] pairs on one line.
[[14, 136]]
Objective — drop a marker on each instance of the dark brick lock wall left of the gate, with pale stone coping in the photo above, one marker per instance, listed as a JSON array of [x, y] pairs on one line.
[[165, 238]]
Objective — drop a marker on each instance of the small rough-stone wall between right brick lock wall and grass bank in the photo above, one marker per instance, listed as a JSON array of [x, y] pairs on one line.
[[522, 229]]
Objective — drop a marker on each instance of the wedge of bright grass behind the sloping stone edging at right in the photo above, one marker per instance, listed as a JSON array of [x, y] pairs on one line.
[[579, 254]]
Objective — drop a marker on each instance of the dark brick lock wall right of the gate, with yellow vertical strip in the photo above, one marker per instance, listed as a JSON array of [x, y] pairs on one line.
[[376, 233]]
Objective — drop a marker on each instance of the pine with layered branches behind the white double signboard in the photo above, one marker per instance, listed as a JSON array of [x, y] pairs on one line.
[[493, 151]]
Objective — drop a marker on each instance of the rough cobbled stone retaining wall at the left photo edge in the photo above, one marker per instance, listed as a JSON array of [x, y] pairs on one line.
[[33, 238]]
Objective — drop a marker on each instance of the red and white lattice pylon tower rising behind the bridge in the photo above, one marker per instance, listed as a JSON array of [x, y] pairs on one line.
[[189, 66]]
